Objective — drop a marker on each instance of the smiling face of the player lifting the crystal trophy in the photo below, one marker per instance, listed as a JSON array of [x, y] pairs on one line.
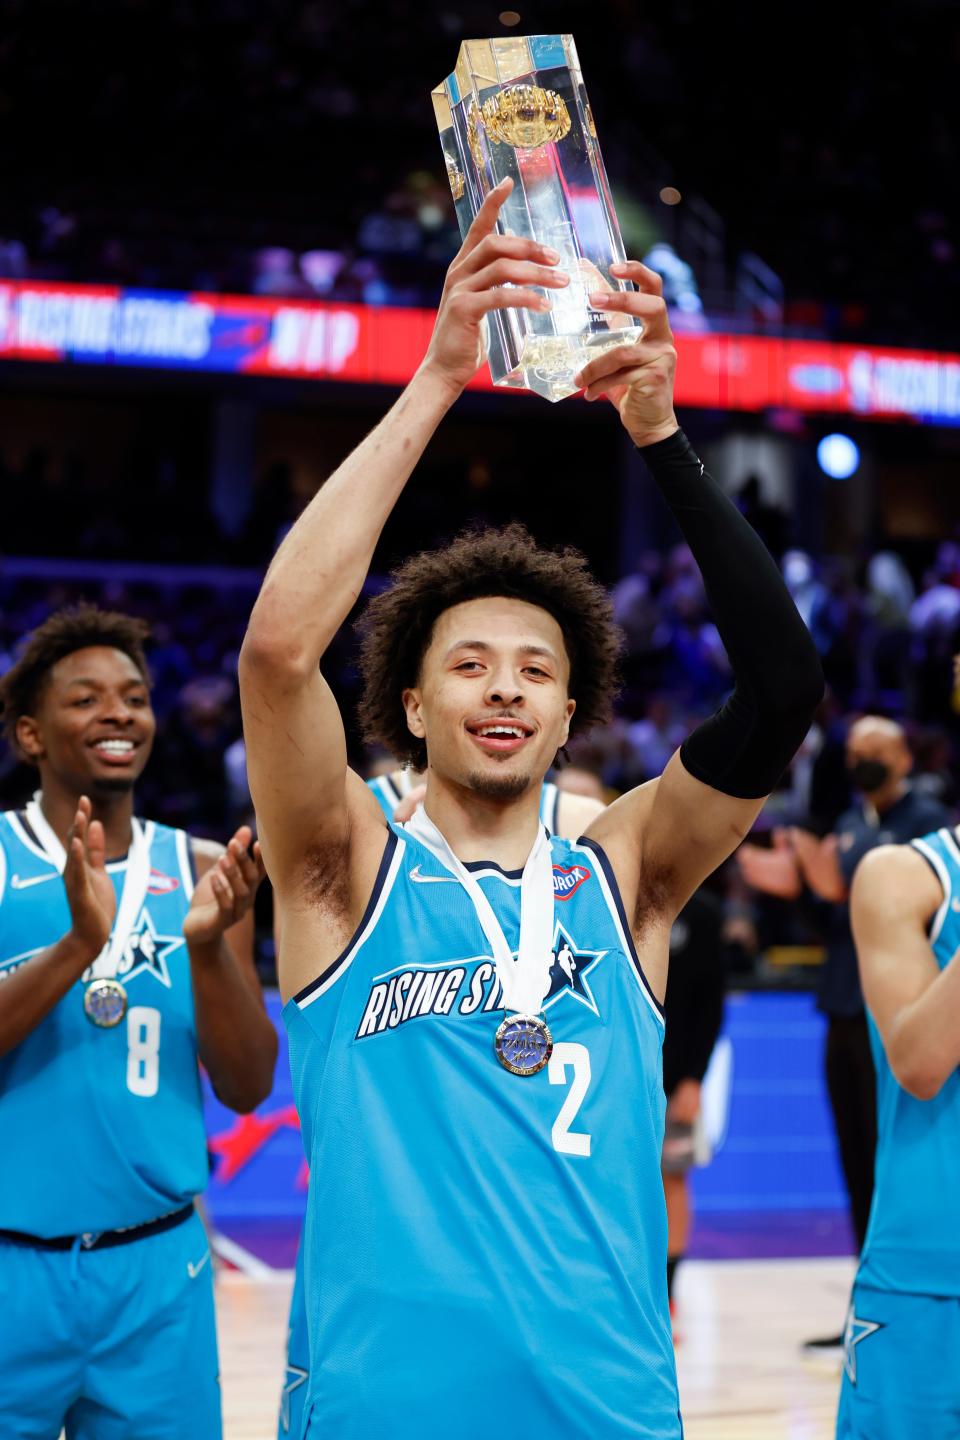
[[492, 702]]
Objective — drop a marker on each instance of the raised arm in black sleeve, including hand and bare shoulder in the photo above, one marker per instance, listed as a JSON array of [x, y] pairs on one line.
[[673, 833]]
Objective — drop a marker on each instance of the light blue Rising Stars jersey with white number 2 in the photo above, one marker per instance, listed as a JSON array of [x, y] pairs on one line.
[[483, 1249]]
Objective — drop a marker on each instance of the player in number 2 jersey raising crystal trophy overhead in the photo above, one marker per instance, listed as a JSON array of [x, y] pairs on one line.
[[486, 1241]]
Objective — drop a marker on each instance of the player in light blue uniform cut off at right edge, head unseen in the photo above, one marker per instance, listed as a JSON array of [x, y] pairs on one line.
[[902, 1343]]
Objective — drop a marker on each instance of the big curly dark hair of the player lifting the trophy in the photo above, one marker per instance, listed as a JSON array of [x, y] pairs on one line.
[[398, 626]]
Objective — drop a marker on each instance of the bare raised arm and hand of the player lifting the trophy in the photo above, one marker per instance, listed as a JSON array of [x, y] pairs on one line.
[[307, 803]]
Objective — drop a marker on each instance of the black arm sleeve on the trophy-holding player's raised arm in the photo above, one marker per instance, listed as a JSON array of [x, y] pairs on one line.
[[745, 747]]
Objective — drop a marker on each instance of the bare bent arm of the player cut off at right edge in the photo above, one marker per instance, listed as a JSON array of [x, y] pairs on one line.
[[915, 1003]]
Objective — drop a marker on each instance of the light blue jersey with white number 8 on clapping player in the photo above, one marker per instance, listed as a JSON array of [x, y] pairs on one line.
[[100, 1128]]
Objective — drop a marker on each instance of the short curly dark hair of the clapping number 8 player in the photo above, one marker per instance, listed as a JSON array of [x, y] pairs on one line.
[[60, 636]]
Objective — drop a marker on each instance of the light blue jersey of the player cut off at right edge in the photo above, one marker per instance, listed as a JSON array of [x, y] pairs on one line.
[[913, 1239]]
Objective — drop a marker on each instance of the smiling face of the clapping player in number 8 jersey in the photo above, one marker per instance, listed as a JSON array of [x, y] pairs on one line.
[[93, 725]]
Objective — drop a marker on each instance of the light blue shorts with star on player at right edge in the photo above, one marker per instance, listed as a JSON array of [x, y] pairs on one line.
[[902, 1367]]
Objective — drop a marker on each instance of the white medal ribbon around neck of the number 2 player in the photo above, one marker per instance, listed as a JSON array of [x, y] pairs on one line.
[[525, 981]]
